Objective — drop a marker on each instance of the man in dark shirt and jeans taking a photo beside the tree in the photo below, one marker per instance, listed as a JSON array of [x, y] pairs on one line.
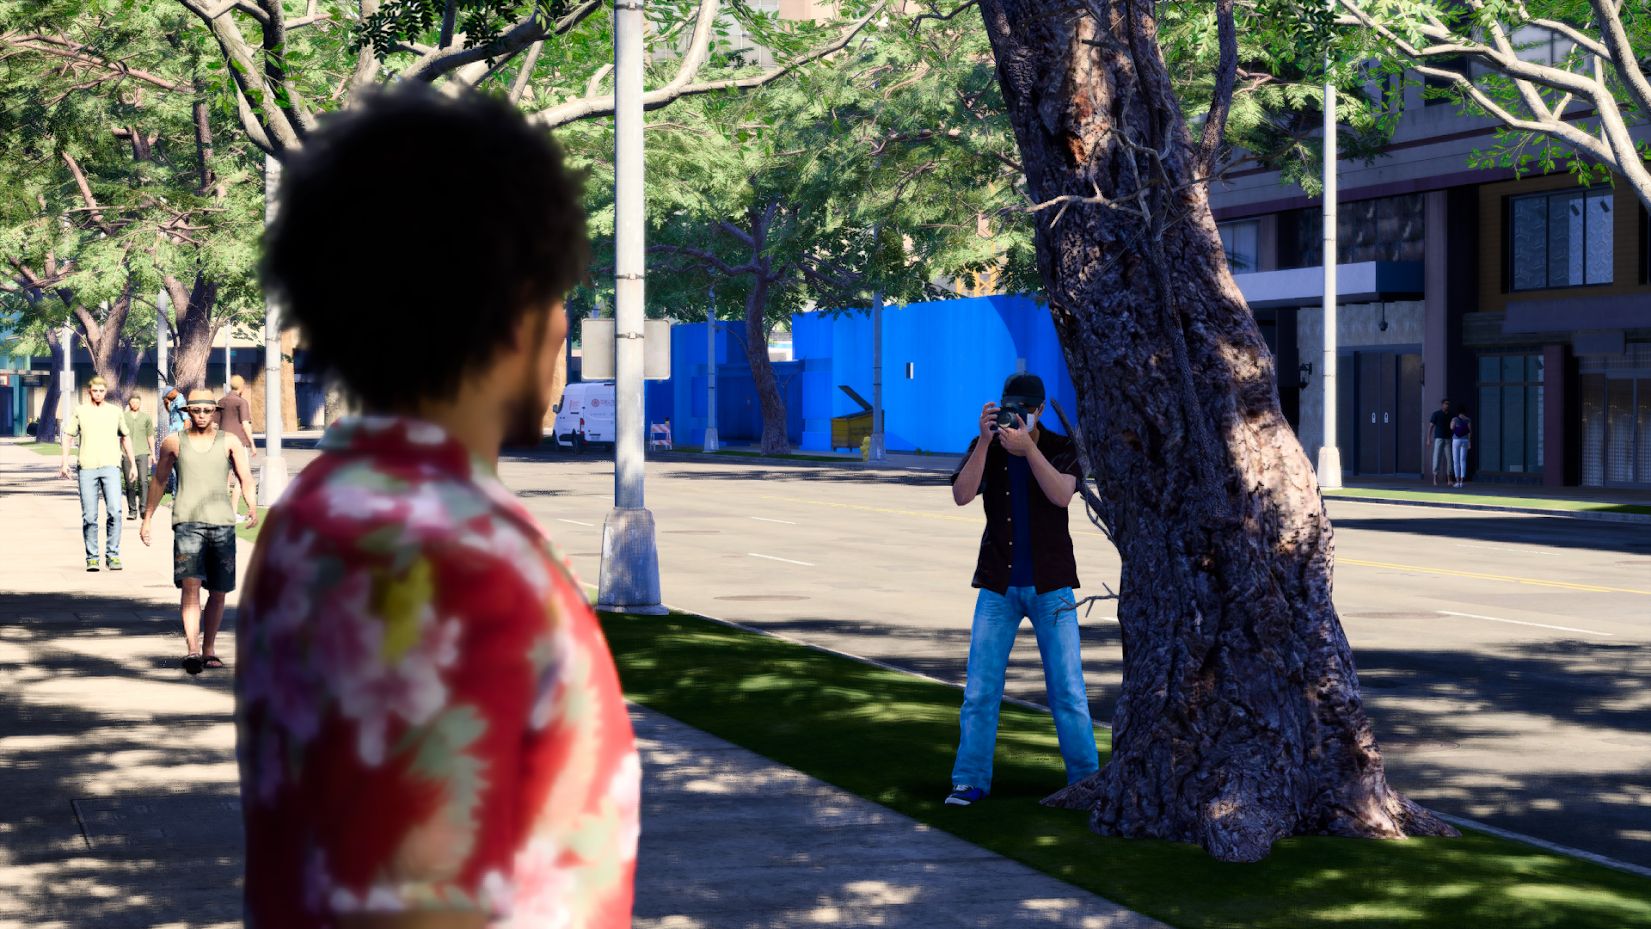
[[1026, 568]]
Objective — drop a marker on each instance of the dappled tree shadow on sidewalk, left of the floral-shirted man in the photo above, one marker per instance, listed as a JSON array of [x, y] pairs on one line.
[[118, 781]]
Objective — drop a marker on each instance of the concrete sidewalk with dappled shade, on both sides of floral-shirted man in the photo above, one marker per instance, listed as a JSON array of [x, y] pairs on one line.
[[118, 780]]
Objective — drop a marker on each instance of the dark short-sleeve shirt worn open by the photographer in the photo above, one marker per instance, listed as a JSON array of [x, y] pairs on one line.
[[1054, 565]]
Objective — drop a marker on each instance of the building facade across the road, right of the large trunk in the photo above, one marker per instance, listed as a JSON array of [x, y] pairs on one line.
[[1526, 299]]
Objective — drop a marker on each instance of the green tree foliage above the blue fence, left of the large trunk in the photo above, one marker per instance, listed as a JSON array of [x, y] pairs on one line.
[[879, 167]]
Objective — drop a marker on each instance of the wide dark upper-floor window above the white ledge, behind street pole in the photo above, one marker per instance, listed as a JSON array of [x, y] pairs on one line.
[[1389, 229]]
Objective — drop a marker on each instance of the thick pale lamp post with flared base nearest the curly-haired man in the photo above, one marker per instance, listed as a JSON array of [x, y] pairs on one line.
[[630, 572]]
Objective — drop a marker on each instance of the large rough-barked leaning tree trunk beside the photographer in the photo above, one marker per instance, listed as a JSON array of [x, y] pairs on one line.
[[1241, 720]]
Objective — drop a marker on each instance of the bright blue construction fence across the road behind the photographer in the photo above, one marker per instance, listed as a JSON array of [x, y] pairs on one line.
[[942, 361]]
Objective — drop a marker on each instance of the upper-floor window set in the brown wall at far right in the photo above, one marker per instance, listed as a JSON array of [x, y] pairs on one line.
[[1559, 240]]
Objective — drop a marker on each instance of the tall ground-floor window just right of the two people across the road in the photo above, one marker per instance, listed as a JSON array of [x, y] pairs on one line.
[[1508, 420]]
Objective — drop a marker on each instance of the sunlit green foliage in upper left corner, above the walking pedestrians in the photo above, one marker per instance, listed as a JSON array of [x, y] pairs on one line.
[[135, 143]]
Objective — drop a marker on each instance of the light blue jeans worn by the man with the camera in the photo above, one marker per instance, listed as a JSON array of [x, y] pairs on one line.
[[996, 621]]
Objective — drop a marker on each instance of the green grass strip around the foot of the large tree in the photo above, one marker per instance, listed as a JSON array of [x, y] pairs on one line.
[[889, 737]]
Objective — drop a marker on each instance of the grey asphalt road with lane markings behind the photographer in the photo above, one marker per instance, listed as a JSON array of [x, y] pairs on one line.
[[1505, 658]]
